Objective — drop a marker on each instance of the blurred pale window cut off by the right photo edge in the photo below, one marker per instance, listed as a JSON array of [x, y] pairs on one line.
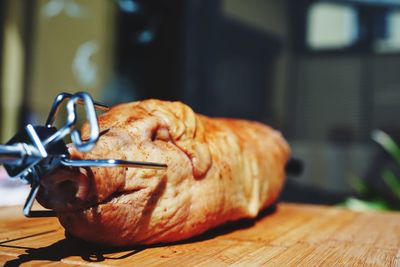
[[389, 41]]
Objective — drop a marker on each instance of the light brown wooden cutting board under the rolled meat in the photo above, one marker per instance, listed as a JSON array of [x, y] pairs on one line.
[[291, 235]]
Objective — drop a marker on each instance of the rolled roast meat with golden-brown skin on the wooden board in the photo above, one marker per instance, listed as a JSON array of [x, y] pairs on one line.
[[219, 170]]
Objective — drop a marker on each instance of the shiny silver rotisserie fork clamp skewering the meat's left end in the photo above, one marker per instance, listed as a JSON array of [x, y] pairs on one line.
[[38, 150]]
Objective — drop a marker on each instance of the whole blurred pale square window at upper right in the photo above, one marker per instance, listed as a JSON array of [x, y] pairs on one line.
[[331, 26]]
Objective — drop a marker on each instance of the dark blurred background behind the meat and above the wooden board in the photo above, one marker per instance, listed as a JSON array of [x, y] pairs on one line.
[[326, 73]]
